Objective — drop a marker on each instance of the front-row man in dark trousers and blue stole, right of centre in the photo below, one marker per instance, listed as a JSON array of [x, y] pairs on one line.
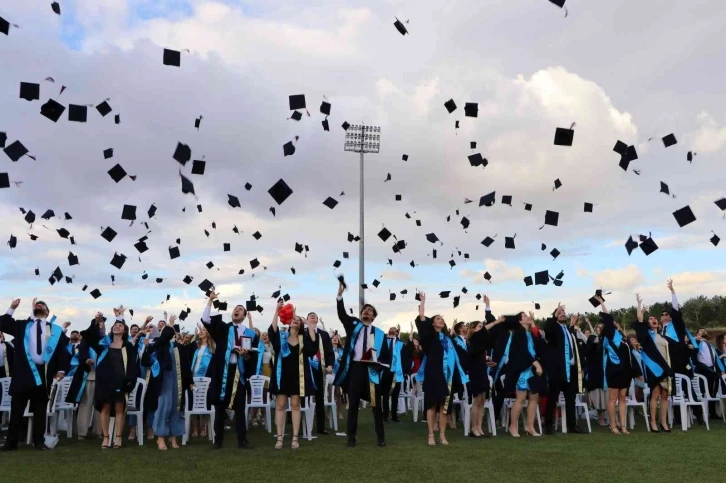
[[564, 369]]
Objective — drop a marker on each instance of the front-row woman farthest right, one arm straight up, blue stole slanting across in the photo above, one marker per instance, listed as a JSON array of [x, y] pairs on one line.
[[656, 361]]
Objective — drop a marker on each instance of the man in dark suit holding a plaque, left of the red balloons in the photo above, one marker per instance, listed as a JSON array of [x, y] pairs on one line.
[[231, 370]]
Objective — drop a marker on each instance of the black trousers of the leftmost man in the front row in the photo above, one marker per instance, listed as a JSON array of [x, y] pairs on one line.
[[38, 398]]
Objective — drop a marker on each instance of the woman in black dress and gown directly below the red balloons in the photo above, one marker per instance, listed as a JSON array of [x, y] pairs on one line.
[[294, 348]]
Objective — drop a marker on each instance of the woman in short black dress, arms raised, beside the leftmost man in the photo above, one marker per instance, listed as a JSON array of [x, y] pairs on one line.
[[116, 370]]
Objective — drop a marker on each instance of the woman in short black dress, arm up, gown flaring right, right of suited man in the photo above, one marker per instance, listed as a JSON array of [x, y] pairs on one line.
[[620, 368]]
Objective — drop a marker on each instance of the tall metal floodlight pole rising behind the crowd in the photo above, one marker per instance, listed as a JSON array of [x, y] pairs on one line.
[[362, 139]]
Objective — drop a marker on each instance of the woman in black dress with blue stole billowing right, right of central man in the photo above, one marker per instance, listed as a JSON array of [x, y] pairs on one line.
[[441, 364]]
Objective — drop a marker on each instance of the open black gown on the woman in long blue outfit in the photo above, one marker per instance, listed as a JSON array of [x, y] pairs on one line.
[[182, 369]]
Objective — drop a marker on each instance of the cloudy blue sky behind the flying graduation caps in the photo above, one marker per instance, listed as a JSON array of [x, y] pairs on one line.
[[619, 70]]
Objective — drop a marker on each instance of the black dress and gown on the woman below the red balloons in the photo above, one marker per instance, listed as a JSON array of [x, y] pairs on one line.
[[289, 384]]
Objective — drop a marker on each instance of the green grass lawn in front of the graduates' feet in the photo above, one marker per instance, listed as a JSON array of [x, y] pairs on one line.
[[697, 455]]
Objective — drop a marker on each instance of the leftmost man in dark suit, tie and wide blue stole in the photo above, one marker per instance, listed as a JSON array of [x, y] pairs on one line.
[[40, 355]]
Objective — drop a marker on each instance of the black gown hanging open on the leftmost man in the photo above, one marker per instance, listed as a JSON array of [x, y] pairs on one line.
[[23, 379]]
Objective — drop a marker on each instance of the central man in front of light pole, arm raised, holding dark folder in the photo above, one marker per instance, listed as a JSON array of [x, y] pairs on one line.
[[360, 367]]
